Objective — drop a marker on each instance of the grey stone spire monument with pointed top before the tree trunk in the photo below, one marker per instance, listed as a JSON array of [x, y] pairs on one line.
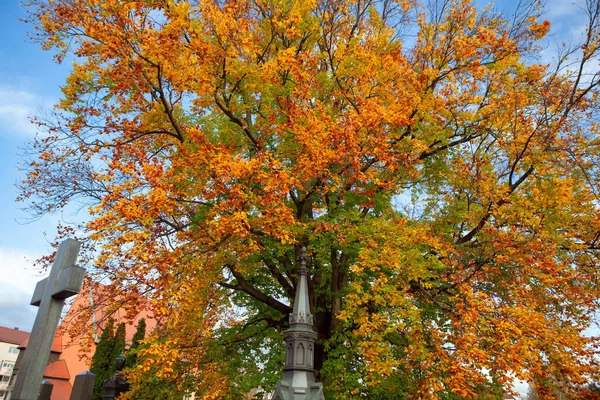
[[298, 381]]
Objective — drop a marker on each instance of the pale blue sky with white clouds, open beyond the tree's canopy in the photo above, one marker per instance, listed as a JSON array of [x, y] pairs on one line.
[[30, 81]]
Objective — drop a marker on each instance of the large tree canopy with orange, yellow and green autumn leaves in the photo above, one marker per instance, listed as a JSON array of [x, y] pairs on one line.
[[442, 176]]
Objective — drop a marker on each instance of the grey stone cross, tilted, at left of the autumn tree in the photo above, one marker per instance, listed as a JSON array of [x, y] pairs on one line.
[[65, 280]]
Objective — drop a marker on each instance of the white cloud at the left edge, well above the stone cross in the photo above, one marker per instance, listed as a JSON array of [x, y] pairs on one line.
[[16, 107]]
